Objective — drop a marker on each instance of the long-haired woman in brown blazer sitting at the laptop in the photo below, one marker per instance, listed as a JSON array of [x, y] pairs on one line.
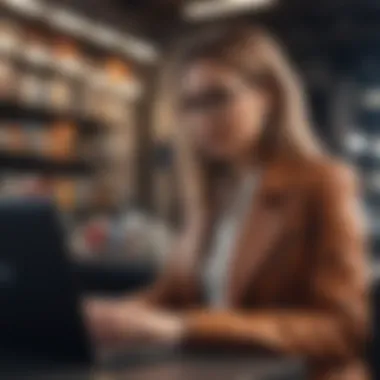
[[272, 250]]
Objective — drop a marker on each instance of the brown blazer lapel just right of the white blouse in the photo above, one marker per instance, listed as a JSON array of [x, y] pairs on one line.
[[261, 231]]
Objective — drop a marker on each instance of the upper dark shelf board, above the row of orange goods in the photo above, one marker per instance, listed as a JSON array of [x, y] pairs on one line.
[[13, 111]]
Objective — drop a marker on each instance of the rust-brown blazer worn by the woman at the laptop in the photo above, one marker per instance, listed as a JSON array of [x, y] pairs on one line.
[[298, 282]]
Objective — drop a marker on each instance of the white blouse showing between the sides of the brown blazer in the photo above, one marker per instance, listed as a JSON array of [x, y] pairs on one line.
[[216, 269]]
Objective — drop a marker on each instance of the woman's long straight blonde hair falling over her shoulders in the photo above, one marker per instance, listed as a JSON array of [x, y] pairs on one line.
[[251, 51]]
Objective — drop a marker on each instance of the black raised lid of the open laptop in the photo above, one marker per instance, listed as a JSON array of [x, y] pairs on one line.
[[40, 318]]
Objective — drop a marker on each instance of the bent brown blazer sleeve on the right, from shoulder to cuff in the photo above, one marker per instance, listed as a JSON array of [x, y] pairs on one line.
[[335, 324]]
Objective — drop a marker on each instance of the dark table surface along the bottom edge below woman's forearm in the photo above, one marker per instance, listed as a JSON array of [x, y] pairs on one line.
[[243, 368]]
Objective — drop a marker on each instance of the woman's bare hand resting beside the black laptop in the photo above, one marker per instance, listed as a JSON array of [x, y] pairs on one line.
[[118, 322]]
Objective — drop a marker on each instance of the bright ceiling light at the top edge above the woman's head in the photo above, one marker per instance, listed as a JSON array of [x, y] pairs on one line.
[[200, 10]]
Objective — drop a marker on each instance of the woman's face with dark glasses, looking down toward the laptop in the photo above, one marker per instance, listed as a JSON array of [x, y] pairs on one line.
[[224, 114]]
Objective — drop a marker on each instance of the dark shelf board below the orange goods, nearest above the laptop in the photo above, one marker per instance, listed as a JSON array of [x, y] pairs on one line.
[[30, 163]]
